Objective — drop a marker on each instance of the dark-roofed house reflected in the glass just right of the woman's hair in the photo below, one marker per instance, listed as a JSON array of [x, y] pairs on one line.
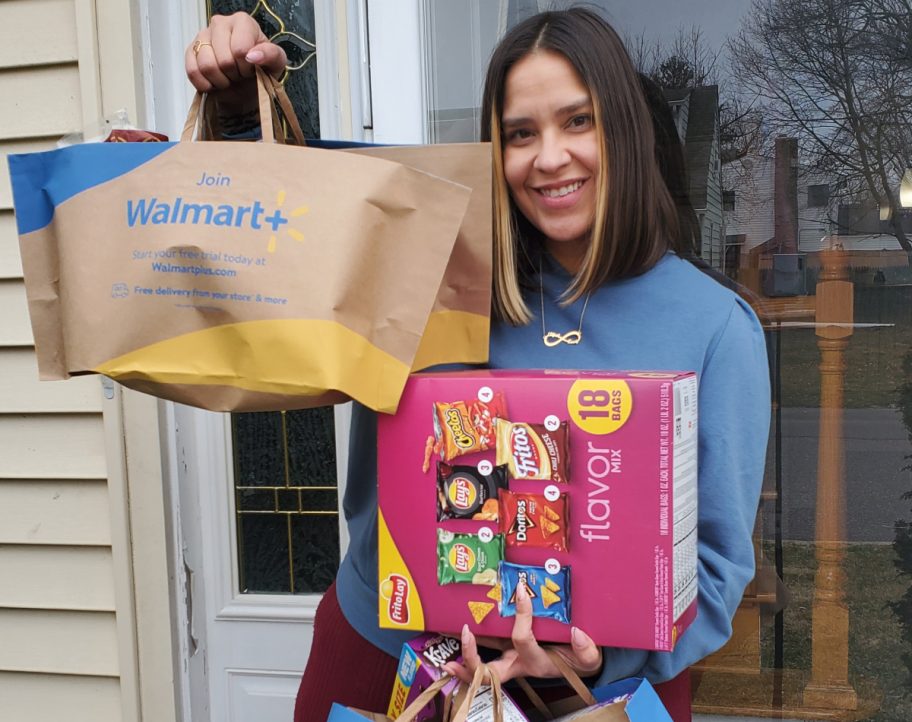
[[696, 114]]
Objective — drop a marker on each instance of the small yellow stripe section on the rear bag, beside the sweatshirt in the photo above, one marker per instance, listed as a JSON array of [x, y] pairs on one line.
[[453, 337]]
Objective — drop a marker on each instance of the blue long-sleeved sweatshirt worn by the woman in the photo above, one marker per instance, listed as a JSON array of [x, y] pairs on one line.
[[671, 318]]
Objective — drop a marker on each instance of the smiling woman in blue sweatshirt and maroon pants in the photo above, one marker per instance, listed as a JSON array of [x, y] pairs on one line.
[[585, 277]]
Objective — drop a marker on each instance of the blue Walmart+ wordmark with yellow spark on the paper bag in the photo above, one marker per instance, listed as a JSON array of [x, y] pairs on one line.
[[154, 211]]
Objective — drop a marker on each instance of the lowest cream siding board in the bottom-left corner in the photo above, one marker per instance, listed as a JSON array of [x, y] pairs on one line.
[[39, 697]]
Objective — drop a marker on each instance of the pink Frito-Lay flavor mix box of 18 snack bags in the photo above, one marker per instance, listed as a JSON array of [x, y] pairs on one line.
[[581, 486]]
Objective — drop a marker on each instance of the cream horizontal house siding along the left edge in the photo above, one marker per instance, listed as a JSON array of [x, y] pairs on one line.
[[61, 656]]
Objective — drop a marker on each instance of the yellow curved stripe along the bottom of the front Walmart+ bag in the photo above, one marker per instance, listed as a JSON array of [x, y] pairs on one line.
[[316, 355]]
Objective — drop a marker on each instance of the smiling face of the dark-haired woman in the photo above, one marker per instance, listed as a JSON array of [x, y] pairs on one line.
[[551, 157]]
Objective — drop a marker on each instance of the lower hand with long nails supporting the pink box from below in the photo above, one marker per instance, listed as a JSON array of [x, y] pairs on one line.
[[521, 655]]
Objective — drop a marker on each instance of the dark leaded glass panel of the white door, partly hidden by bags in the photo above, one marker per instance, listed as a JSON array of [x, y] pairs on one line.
[[286, 501]]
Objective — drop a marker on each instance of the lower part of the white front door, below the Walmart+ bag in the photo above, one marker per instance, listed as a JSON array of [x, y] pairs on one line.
[[252, 534]]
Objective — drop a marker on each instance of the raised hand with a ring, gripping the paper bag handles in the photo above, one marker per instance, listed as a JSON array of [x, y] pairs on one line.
[[222, 58]]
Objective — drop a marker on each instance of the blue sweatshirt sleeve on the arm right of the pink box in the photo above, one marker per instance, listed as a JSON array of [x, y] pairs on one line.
[[734, 418]]
